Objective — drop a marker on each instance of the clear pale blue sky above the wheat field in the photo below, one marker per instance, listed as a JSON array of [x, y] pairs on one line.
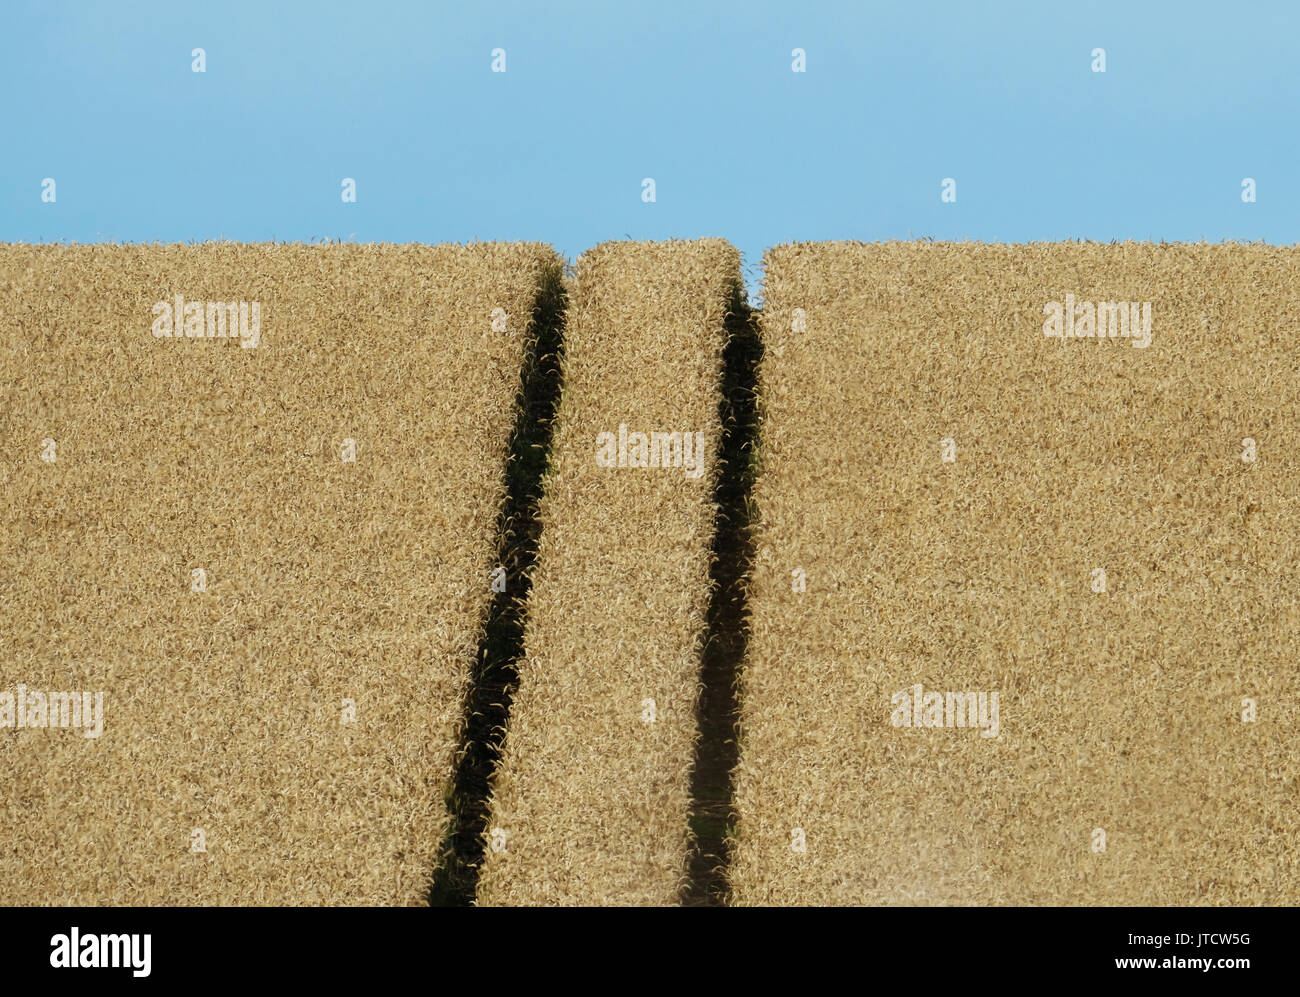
[[700, 97]]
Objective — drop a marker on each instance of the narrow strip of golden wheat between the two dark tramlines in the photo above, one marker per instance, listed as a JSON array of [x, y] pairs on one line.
[[591, 800]]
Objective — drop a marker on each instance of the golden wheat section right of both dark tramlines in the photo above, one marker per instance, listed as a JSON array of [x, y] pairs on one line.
[[1123, 771]]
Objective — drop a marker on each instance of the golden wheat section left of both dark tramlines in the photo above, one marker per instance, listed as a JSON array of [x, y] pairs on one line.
[[226, 716]]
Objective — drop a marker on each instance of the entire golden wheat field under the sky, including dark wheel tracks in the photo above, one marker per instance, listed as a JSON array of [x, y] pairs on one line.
[[1015, 548]]
